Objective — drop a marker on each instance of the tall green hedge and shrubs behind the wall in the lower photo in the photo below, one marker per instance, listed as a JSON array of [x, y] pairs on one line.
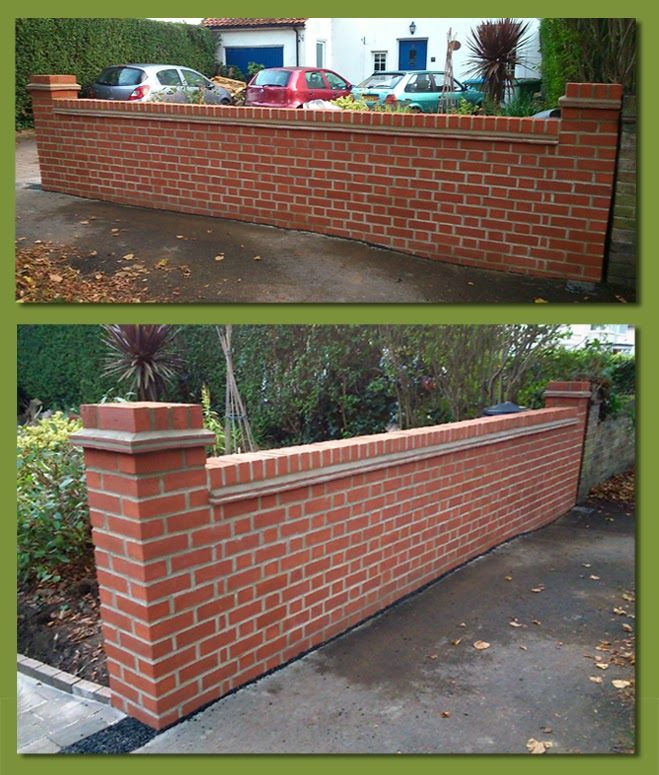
[[308, 383]]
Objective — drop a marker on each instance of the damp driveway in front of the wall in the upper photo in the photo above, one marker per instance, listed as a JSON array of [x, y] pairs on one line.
[[256, 263]]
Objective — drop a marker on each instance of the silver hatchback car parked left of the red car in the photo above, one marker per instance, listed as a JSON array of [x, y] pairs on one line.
[[169, 83]]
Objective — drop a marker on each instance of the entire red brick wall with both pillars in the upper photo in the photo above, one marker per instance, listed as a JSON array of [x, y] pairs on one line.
[[525, 195]]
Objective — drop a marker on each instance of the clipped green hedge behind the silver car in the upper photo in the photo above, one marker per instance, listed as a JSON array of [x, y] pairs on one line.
[[83, 47]]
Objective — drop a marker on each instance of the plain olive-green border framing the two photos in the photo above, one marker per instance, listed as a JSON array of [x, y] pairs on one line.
[[643, 315]]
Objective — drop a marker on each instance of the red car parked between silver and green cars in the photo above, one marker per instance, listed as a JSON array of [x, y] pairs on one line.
[[291, 87]]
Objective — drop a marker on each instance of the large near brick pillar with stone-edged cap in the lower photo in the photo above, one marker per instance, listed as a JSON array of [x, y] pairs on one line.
[[148, 500]]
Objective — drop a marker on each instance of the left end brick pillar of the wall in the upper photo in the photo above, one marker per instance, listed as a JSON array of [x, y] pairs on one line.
[[45, 91]]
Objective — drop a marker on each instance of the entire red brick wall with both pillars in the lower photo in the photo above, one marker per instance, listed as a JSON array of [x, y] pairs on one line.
[[214, 572]]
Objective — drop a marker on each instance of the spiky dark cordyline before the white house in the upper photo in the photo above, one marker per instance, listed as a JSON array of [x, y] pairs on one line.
[[494, 52]]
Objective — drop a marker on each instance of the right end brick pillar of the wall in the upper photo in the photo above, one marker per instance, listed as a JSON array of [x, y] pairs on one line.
[[590, 123]]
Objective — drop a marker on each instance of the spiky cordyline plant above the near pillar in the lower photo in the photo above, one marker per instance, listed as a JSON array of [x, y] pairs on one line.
[[142, 356]]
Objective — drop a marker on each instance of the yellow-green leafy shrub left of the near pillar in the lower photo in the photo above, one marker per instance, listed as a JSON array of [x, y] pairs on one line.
[[53, 523]]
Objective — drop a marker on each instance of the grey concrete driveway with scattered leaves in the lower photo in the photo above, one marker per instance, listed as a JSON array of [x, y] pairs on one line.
[[411, 681]]
